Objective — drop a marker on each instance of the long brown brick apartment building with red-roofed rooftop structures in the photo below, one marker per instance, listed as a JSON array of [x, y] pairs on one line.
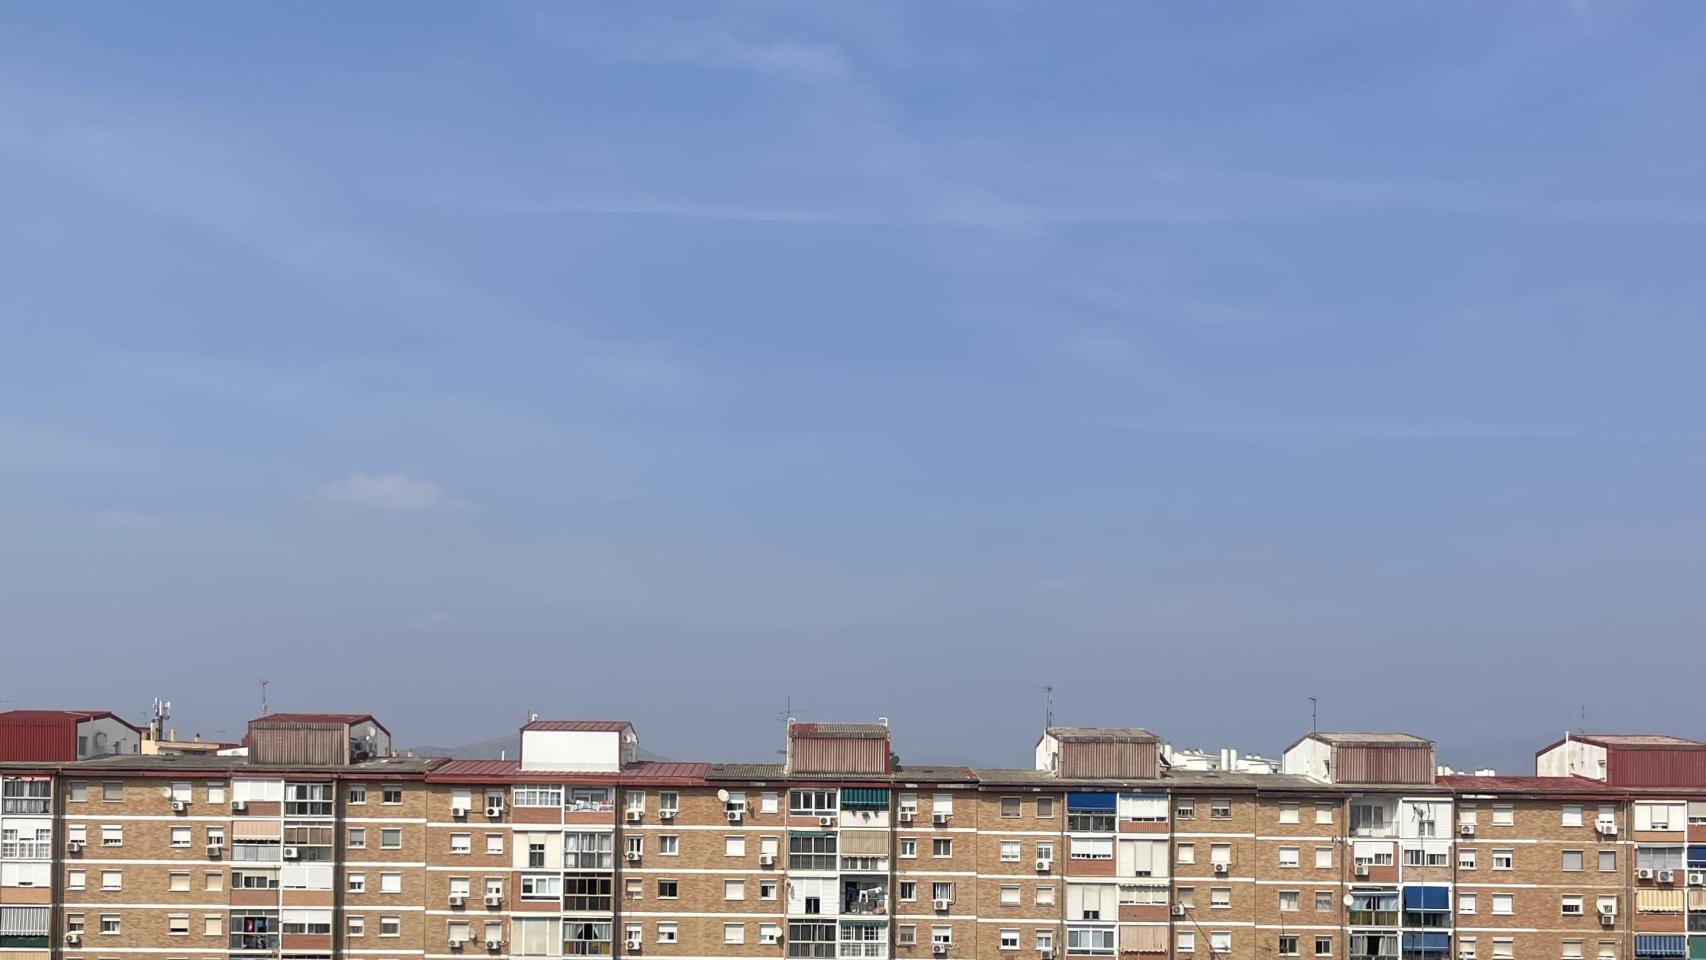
[[318, 843]]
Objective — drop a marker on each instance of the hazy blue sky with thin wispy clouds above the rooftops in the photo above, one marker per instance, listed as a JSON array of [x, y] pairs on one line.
[[670, 362]]
